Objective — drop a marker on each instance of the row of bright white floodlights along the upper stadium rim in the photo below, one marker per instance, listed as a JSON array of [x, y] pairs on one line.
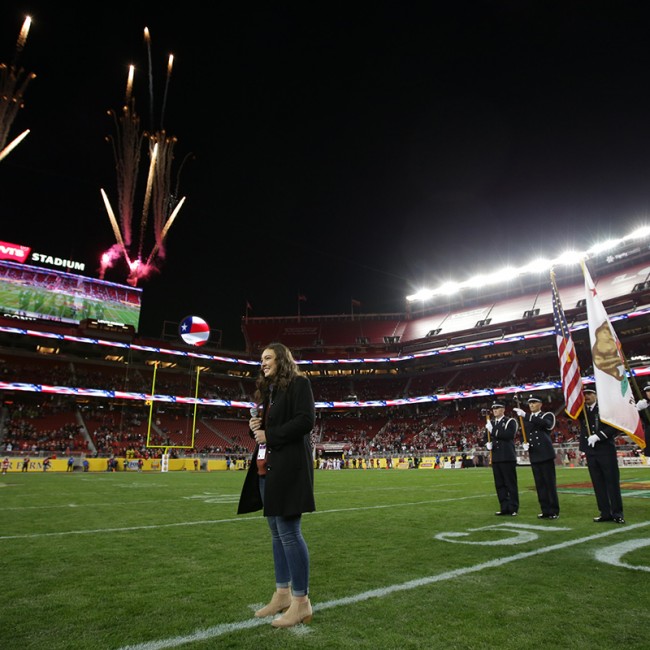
[[536, 266]]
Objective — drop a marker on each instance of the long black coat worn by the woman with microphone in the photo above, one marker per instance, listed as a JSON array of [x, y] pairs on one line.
[[289, 488]]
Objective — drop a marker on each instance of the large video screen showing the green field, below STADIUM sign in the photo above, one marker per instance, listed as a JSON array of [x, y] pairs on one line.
[[34, 292]]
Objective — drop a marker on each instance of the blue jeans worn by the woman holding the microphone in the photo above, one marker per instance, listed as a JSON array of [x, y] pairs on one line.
[[290, 553]]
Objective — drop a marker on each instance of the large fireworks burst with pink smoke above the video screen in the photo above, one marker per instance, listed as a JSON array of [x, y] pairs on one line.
[[159, 200]]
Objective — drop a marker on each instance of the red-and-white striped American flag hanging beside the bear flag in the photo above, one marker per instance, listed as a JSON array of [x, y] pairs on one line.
[[566, 352]]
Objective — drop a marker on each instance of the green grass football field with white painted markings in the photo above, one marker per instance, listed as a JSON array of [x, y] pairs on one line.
[[399, 559]]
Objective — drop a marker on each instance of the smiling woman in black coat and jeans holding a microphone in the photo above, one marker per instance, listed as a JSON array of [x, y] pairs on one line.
[[280, 478]]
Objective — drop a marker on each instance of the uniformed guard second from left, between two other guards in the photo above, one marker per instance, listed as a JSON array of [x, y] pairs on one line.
[[537, 431]]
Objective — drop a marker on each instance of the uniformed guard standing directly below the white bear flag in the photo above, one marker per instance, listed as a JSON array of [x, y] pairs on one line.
[[598, 442]]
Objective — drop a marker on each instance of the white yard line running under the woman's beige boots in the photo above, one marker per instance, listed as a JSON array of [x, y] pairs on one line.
[[226, 628]]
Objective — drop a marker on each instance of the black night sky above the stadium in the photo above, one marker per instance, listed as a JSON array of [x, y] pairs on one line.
[[336, 150]]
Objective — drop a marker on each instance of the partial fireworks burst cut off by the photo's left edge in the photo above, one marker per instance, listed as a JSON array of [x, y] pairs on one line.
[[13, 83]]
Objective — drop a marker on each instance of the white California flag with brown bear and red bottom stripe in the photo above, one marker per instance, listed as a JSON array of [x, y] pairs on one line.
[[616, 404]]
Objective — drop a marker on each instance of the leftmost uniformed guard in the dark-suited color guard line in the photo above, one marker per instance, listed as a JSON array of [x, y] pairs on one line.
[[501, 432]]
